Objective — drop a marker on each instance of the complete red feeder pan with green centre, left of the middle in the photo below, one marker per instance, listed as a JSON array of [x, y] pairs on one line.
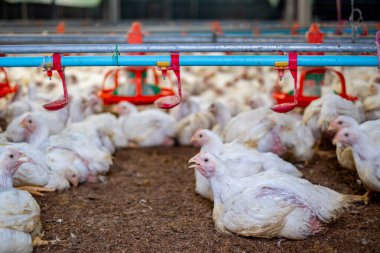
[[110, 96]]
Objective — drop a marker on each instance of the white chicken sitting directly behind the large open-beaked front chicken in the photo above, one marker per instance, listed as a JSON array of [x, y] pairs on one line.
[[242, 161]]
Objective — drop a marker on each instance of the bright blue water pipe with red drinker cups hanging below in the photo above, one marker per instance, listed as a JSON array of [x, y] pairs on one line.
[[236, 60]]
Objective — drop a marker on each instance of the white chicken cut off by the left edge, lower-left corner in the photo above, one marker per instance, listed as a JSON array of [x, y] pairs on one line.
[[20, 225]]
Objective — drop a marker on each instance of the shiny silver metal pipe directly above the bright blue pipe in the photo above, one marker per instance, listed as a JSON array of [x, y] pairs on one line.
[[196, 47]]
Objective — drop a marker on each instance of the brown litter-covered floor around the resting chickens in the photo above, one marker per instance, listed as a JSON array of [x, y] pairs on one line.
[[147, 204]]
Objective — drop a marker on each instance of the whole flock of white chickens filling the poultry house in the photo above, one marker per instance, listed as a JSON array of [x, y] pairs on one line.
[[247, 164]]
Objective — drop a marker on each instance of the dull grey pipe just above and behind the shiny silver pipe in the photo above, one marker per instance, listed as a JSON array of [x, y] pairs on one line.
[[103, 39]]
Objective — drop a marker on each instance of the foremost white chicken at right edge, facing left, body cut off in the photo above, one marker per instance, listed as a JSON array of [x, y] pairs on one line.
[[366, 156]]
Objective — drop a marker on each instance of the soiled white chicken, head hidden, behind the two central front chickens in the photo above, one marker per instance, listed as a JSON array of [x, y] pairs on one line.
[[268, 131]]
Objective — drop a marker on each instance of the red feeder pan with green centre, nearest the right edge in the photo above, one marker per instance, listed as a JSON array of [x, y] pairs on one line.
[[304, 101]]
